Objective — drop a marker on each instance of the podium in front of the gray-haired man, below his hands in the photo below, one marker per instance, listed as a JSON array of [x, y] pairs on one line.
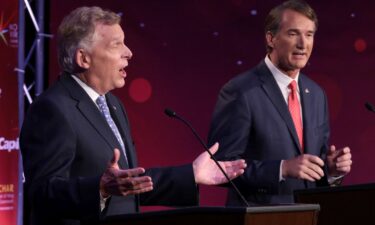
[[294, 214]]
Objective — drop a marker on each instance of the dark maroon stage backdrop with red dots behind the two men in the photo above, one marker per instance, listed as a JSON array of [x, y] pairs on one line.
[[185, 51]]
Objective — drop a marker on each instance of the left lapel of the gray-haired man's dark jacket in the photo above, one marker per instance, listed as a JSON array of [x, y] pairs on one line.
[[91, 112]]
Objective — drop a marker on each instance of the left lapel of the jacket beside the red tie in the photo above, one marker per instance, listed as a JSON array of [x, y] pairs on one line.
[[274, 93]]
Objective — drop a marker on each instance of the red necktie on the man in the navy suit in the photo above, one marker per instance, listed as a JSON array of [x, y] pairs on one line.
[[295, 111]]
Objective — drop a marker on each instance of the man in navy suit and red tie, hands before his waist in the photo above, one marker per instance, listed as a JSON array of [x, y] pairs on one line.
[[277, 118]]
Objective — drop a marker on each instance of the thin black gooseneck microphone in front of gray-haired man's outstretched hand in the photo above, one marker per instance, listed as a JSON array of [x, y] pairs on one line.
[[173, 114]]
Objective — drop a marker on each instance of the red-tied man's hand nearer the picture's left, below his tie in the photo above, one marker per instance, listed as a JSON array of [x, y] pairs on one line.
[[307, 167]]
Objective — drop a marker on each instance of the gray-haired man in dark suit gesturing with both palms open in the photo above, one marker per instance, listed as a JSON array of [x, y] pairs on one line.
[[79, 159]]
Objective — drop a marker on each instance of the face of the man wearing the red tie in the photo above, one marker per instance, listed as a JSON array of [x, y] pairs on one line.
[[293, 43]]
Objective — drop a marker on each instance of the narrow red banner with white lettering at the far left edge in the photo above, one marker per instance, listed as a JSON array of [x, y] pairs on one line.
[[8, 112]]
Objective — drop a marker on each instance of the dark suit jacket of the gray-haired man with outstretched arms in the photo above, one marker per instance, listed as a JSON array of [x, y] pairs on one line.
[[66, 145]]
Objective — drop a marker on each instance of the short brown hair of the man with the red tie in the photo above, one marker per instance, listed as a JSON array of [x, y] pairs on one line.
[[273, 20]]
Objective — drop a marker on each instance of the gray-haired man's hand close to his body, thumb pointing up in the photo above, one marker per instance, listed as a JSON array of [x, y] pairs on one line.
[[116, 181]]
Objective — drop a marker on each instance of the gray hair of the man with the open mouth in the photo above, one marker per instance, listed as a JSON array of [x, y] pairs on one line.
[[76, 31]]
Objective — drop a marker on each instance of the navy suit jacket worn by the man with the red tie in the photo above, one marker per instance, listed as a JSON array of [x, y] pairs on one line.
[[252, 121]]
